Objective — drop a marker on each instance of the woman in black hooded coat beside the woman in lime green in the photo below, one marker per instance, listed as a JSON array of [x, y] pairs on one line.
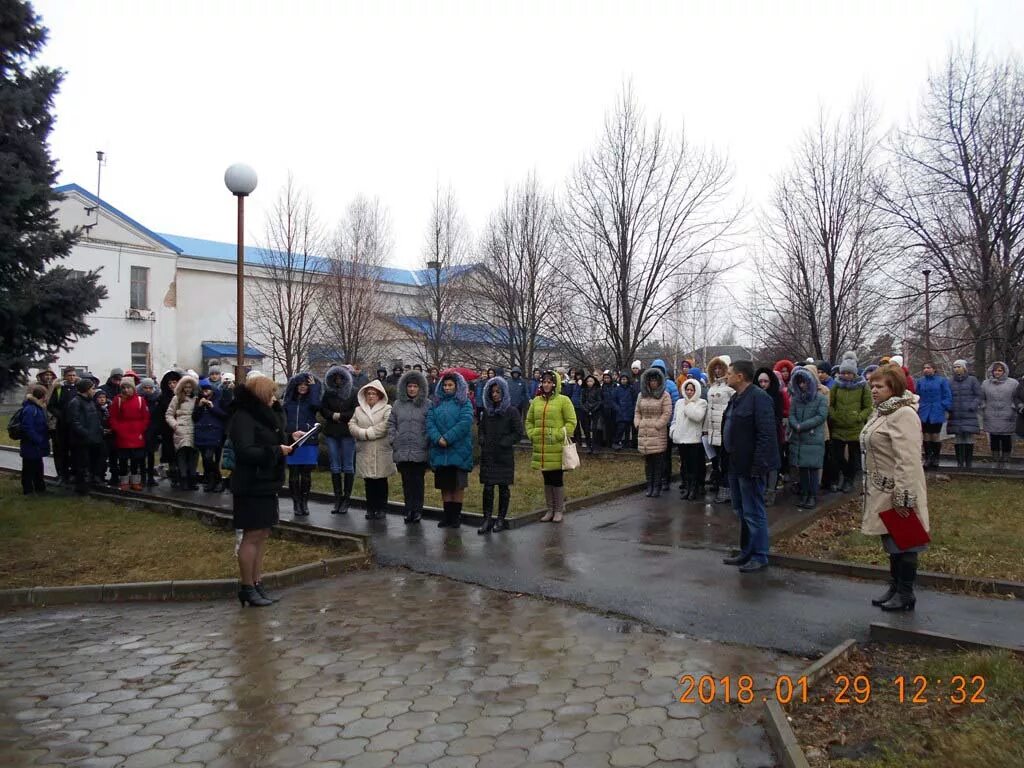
[[501, 431]]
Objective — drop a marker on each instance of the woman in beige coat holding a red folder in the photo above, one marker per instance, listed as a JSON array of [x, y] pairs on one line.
[[894, 480]]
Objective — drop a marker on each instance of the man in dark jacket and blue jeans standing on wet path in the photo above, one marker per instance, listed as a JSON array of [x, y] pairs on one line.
[[750, 436]]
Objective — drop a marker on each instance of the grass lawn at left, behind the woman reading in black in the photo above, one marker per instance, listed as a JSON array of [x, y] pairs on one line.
[[62, 540]]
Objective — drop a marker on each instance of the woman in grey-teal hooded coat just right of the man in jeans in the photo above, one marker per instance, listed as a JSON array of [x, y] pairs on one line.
[[808, 414]]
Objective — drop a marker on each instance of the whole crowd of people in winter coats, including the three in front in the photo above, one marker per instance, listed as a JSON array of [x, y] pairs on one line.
[[813, 424]]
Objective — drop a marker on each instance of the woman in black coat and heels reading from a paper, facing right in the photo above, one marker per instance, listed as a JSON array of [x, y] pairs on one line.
[[258, 433]]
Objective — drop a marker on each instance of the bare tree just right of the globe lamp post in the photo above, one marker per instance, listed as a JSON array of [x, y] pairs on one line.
[[284, 302]]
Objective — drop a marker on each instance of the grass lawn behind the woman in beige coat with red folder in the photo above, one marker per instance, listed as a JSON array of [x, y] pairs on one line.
[[977, 529]]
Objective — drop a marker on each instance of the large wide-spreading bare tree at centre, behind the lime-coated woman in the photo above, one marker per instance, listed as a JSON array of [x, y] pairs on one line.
[[643, 217]]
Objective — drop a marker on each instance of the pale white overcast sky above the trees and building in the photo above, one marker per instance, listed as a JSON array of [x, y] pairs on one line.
[[392, 99]]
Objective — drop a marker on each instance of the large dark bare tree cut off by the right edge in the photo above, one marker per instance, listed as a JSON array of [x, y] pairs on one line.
[[959, 195]]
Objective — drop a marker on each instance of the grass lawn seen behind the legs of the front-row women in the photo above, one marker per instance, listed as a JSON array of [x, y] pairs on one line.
[[595, 476]]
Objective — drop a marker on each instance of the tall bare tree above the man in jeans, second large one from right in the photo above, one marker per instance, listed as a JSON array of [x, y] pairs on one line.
[[826, 240]]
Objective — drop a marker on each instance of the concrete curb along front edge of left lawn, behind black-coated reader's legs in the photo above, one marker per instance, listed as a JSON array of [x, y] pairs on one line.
[[212, 589]]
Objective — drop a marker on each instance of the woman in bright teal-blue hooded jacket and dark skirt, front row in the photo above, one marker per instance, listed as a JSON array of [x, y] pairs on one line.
[[450, 431]]
